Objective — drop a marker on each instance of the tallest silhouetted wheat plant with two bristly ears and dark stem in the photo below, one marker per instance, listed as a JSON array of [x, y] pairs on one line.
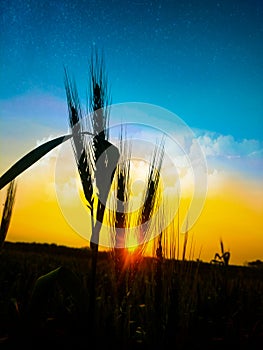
[[96, 158]]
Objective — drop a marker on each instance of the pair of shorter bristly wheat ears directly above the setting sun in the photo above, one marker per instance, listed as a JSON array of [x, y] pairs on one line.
[[132, 229]]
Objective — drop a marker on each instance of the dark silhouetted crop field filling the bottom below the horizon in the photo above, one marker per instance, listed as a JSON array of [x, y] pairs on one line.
[[153, 304]]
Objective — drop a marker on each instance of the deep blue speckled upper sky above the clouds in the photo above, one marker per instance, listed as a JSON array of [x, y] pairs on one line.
[[202, 60]]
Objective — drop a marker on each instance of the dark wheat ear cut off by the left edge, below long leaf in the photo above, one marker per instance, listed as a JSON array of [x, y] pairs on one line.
[[7, 211]]
